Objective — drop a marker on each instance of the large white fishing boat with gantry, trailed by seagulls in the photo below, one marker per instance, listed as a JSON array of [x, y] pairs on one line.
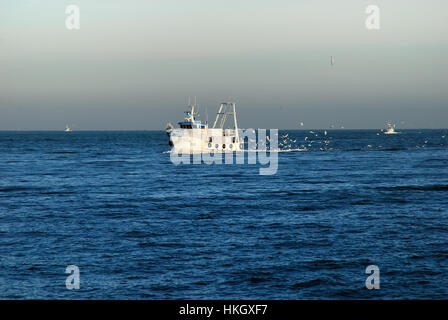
[[195, 136]]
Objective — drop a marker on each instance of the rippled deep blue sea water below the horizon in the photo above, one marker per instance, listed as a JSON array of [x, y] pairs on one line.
[[140, 227]]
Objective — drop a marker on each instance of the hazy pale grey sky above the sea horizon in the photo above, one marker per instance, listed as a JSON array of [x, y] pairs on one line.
[[133, 64]]
